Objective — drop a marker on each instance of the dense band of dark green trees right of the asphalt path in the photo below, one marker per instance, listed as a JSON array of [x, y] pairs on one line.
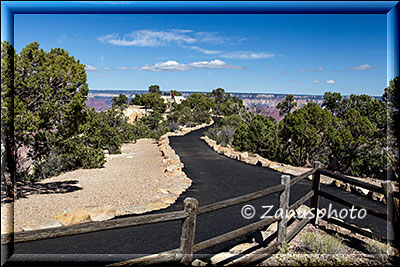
[[347, 134]]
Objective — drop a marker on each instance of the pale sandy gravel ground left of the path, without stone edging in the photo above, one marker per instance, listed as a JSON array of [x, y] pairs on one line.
[[131, 178]]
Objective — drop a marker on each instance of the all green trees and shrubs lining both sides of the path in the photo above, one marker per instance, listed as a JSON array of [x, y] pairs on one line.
[[44, 115]]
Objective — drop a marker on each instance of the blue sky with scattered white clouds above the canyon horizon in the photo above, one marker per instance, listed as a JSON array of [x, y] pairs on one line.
[[297, 54]]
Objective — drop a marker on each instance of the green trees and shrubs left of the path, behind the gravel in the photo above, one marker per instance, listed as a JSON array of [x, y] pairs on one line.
[[46, 126]]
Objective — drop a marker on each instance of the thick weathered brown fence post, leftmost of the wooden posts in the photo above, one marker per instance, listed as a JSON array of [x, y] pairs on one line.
[[188, 230]]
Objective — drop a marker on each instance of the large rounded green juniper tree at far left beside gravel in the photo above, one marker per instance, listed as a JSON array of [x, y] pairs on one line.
[[49, 97]]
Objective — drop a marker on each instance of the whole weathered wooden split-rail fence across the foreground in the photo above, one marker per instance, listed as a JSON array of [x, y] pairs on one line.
[[184, 254]]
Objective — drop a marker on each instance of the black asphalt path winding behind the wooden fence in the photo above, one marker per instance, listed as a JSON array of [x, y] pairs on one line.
[[214, 178]]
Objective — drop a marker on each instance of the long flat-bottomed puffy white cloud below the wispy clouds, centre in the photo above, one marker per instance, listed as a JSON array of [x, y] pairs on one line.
[[173, 65]]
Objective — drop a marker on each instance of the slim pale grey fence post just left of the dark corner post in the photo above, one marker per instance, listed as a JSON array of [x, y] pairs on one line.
[[284, 207]]
